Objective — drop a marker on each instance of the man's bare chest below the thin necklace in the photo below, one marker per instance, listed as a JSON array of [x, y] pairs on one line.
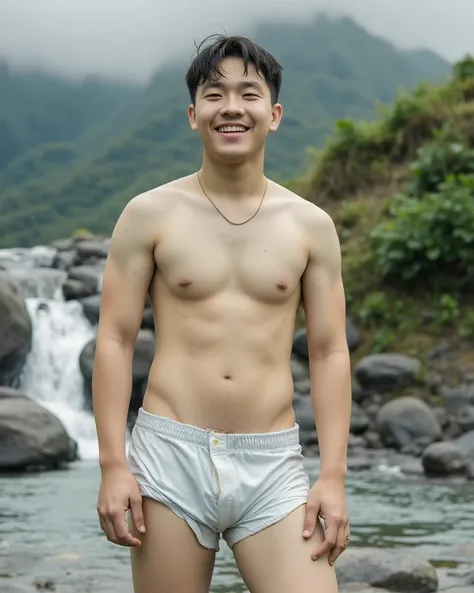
[[197, 260]]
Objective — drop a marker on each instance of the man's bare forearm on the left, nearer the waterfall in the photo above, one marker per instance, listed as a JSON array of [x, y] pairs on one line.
[[111, 391]]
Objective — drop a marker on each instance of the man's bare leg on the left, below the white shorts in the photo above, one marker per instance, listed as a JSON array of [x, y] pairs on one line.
[[170, 558]]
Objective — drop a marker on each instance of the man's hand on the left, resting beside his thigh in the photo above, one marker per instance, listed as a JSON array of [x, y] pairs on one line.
[[119, 492]]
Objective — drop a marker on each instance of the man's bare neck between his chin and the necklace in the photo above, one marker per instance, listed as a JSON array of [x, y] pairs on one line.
[[243, 180]]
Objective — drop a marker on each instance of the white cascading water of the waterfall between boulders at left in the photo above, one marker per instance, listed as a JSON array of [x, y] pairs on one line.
[[51, 375]]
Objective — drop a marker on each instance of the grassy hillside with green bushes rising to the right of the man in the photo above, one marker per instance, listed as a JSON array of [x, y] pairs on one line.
[[401, 190]]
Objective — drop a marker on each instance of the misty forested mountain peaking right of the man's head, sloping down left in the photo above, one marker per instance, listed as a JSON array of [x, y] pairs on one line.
[[333, 69]]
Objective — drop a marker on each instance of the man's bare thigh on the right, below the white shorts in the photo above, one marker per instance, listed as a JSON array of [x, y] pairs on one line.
[[278, 559]]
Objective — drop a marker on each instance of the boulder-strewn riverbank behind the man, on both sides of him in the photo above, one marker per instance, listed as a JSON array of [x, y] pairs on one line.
[[401, 408]]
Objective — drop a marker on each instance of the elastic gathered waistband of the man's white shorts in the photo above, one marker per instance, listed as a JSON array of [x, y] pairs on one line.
[[200, 436]]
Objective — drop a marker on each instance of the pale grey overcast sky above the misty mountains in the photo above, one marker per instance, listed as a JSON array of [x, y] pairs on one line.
[[129, 38]]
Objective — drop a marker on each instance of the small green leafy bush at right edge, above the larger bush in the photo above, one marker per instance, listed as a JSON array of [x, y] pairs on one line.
[[435, 162]]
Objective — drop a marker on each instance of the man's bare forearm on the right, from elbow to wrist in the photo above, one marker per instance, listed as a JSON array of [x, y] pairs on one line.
[[331, 401]]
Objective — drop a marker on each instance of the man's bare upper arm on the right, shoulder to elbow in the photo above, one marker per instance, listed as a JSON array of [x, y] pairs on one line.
[[322, 287]]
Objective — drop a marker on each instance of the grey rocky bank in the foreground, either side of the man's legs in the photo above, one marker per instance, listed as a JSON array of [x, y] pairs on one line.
[[362, 570]]
